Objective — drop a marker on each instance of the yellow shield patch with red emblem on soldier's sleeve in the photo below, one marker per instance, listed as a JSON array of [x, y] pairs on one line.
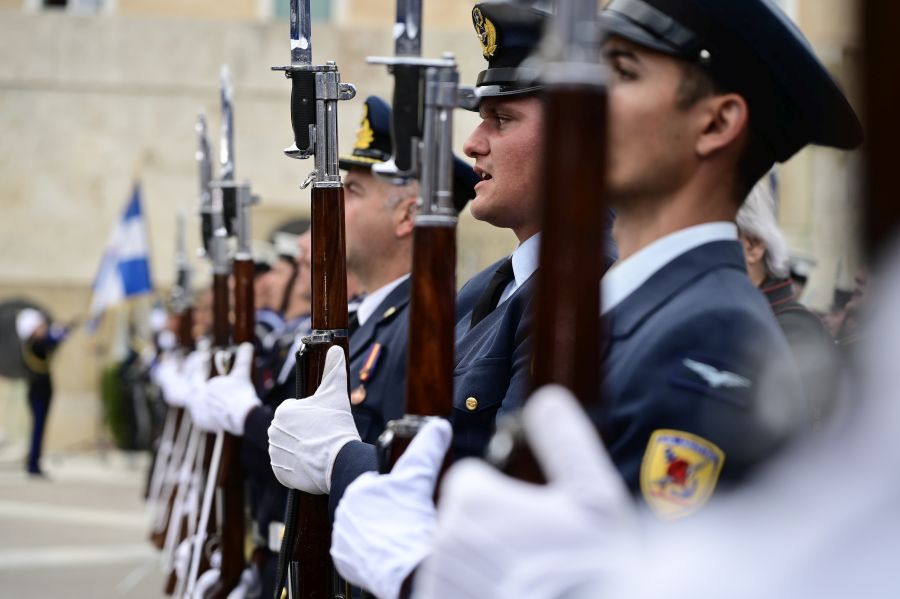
[[679, 473]]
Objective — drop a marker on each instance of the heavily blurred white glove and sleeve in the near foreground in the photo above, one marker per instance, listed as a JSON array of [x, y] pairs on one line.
[[788, 533]]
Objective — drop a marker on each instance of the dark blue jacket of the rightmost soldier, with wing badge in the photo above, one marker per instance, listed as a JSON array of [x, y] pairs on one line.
[[701, 308]]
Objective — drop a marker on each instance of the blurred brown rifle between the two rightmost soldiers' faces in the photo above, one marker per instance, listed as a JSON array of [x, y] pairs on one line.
[[566, 325]]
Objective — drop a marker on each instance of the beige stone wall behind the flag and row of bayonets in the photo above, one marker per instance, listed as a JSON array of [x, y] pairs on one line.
[[89, 104]]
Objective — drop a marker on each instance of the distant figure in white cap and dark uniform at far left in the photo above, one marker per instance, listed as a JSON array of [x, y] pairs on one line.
[[39, 338]]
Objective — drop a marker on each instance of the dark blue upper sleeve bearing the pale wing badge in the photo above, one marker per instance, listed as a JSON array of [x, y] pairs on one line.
[[722, 382]]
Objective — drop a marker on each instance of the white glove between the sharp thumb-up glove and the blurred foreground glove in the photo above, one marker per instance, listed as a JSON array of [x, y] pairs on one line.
[[385, 523]]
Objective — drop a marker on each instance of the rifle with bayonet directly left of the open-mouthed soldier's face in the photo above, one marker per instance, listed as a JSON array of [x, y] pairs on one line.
[[425, 93]]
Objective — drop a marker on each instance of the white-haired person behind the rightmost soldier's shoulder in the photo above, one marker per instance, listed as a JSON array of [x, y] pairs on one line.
[[768, 265]]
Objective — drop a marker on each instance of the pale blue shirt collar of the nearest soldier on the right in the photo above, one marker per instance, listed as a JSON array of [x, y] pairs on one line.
[[626, 276]]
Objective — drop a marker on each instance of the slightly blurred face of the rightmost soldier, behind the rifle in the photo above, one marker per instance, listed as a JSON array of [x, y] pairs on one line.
[[651, 138]]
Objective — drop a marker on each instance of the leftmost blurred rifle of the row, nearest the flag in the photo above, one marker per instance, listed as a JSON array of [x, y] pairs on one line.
[[172, 444]]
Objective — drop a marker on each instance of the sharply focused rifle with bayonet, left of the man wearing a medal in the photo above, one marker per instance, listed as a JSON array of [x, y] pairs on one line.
[[315, 90]]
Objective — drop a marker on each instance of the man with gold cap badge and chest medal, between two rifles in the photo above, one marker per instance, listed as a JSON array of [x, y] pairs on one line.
[[379, 227]]
